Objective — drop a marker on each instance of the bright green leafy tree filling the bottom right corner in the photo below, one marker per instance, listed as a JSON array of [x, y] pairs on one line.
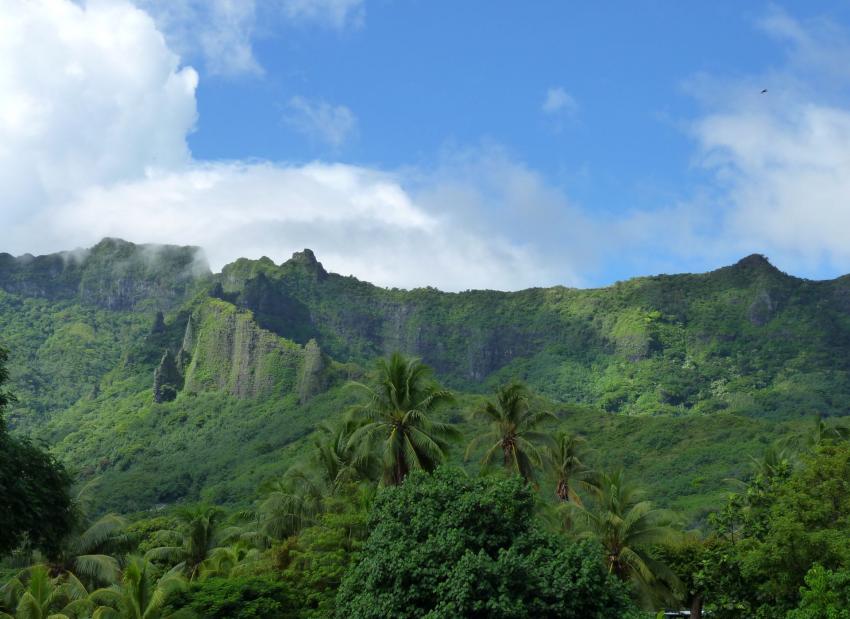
[[786, 521]]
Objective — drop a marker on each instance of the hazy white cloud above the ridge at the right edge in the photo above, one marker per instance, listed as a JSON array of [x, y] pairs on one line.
[[782, 159]]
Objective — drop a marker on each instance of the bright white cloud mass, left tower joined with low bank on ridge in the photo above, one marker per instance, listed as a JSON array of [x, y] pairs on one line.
[[91, 145]]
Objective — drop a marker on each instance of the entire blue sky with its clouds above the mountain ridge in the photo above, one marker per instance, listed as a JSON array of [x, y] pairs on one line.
[[457, 144]]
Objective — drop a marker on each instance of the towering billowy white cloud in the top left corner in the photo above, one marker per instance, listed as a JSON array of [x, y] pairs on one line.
[[87, 95]]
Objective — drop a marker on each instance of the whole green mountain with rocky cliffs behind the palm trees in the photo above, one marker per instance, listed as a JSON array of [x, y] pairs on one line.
[[167, 382]]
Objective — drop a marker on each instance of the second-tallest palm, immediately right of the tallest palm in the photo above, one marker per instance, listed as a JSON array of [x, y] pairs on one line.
[[513, 430]]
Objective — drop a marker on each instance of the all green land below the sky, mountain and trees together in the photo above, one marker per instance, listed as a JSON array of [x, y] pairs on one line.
[[239, 452]]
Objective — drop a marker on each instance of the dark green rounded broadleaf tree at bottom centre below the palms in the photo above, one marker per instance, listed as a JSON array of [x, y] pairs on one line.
[[452, 546]]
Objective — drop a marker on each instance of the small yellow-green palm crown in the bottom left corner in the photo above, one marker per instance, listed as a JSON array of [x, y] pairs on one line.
[[34, 594]]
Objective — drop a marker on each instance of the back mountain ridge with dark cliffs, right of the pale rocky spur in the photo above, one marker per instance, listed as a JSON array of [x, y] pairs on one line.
[[746, 338]]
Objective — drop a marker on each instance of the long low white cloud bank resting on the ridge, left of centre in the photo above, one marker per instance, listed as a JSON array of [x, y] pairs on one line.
[[357, 220]]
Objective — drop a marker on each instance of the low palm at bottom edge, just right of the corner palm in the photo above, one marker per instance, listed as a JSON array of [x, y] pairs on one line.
[[138, 596]]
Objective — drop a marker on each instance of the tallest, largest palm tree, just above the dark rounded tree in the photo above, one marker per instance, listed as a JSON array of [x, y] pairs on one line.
[[396, 419]]
